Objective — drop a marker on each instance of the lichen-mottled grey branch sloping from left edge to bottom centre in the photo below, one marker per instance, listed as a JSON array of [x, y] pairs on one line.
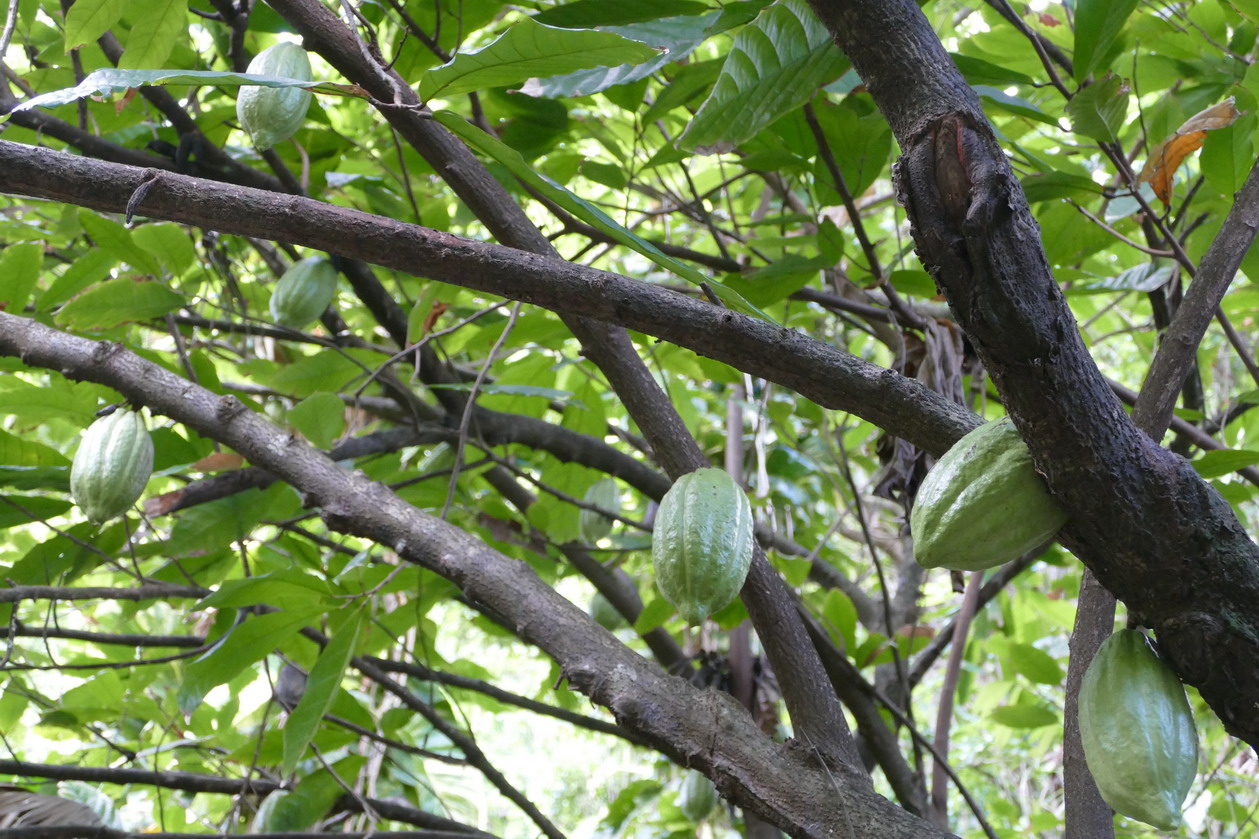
[[785, 784]]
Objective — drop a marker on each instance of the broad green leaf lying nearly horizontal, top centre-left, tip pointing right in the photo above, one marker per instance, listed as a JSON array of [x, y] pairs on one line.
[[529, 49]]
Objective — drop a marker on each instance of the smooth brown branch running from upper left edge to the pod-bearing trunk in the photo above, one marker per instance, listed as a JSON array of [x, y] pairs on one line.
[[825, 375]]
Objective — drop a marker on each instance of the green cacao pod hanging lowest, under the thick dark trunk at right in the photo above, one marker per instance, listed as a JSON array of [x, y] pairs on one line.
[[1138, 731]]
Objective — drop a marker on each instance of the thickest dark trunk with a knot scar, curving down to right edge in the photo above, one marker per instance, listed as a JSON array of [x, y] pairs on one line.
[[1155, 535]]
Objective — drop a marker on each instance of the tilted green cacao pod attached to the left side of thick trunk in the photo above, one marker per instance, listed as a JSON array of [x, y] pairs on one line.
[[984, 503]]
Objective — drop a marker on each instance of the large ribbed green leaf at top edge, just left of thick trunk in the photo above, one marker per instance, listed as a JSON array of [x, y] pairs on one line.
[[777, 65]]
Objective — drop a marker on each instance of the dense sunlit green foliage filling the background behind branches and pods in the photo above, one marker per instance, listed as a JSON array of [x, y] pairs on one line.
[[723, 151]]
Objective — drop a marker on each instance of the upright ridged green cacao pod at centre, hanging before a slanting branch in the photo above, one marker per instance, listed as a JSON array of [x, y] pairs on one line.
[[702, 544]]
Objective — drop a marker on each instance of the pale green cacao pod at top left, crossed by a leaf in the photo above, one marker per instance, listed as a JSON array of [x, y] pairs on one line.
[[273, 115]]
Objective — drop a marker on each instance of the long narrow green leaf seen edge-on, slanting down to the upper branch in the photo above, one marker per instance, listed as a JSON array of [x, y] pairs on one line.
[[587, 212]]
